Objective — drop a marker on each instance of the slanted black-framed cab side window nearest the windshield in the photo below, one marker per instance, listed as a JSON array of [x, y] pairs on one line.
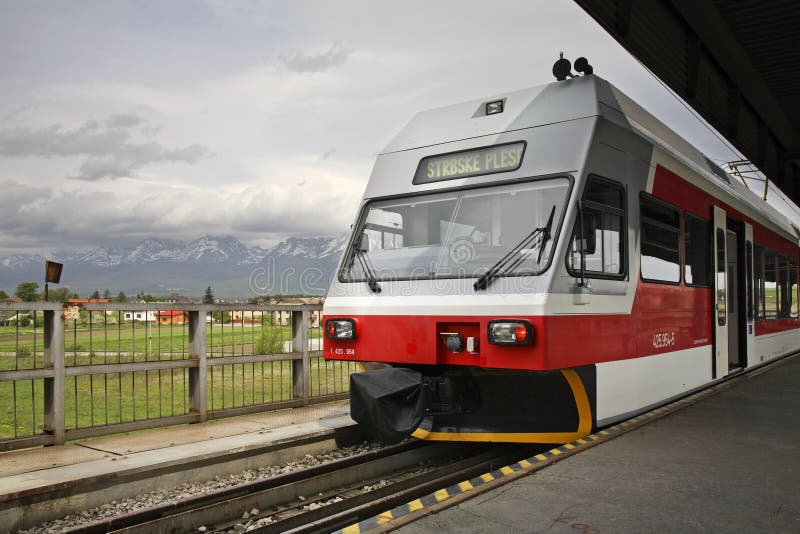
[[598, 241]]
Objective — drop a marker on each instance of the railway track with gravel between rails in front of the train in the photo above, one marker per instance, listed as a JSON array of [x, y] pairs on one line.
[[321, 498]]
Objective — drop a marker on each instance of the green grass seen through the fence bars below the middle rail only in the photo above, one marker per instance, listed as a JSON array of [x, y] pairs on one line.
[[122, 397]]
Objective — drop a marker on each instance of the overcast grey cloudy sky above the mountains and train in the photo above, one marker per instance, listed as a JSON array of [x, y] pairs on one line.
[[129, 119]]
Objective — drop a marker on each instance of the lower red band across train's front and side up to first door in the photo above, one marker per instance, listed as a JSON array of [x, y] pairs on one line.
[[663, 319]]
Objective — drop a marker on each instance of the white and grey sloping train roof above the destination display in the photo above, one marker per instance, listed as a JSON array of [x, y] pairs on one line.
[[577, 98]]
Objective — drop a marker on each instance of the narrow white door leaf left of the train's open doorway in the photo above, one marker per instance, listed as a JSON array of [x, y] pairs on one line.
[[719, 365]]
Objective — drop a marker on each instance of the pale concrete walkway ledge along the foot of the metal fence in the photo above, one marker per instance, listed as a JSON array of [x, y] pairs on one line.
[[40, 484]]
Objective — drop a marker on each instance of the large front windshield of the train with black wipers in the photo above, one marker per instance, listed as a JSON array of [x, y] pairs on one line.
[[456, 234]]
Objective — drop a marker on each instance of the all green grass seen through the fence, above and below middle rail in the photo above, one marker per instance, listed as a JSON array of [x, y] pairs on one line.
[[123, 397]]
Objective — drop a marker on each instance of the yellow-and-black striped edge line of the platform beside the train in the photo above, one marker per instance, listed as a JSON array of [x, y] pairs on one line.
[[538, 461]]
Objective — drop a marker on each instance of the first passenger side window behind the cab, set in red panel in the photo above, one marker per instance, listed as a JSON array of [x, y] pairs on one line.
[[661, 240]]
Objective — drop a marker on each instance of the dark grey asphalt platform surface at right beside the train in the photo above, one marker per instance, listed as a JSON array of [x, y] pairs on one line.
[[729, 463]]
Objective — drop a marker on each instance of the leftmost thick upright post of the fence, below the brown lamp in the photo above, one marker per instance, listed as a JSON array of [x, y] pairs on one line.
[[54, 414]]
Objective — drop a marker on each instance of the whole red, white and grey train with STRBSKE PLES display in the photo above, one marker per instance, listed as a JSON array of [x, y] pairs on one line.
[[538, 264]]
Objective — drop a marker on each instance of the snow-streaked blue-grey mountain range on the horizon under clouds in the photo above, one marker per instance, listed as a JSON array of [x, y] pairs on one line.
[[163, 266]]
